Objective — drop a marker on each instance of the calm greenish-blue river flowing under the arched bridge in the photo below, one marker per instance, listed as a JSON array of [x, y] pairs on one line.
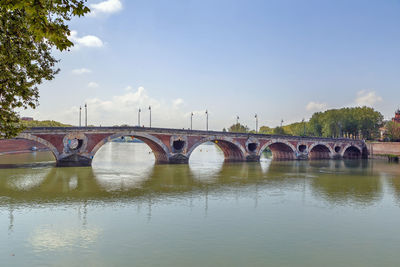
[[126, 211]]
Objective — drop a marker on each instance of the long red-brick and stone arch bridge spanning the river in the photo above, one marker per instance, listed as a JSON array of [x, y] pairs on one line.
[[77, 146]]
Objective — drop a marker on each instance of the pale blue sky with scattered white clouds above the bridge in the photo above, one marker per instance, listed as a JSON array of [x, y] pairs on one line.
[[279, 59]]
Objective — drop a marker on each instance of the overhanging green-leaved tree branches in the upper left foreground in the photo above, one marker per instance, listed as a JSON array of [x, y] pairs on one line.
[[29, 30]]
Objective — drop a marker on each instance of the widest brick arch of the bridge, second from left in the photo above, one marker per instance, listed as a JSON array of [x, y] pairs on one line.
[[160, 150]]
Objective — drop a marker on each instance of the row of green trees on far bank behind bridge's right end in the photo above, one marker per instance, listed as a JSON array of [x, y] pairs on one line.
[[354, 122]]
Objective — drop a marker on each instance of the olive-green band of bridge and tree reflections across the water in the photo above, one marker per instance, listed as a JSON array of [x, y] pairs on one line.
[[355, 181]]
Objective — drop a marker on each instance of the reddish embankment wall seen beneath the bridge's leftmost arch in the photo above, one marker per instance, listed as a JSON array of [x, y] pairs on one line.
[[14, 146]]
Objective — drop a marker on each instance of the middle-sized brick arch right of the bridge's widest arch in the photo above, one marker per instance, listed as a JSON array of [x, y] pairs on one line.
[[233, 151]]
